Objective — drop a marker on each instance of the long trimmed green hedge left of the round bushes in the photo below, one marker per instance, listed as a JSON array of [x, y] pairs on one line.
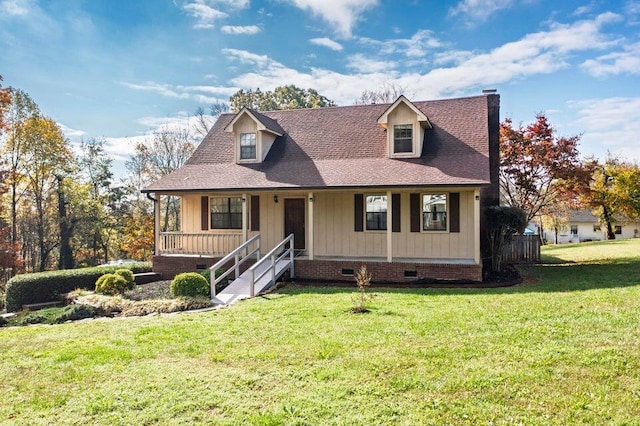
[[45, 286]]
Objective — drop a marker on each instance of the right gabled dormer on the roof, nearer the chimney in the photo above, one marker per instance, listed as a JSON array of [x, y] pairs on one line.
[[405, 125]]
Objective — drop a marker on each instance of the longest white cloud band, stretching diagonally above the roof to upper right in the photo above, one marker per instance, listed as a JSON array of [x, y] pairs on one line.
[[538, 53]]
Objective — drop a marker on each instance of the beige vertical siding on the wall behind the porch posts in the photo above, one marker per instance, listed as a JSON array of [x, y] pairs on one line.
[[334, 227]]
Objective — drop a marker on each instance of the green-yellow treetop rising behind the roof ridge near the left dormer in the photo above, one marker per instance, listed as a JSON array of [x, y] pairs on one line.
[[283, 97]]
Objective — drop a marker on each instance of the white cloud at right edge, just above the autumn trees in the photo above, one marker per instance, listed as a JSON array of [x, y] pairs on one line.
[[610, 124]]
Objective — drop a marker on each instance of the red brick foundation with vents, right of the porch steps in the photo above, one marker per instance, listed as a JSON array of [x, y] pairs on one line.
[[332, 270]]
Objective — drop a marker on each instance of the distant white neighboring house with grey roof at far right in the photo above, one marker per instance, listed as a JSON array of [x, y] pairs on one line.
[[582, 225]]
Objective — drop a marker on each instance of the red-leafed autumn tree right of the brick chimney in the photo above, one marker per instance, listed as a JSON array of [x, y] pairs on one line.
[[539, 170]]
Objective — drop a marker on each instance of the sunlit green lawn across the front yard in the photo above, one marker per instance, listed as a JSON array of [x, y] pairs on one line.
[[562, 348]]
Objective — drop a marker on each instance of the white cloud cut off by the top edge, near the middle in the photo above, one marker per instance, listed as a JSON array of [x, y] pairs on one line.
[[342, 15]]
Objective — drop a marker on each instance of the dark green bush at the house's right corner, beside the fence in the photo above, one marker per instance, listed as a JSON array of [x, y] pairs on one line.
[[503, 222]]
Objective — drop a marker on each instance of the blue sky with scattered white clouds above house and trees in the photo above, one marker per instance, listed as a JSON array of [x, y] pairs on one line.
[[119, 69]]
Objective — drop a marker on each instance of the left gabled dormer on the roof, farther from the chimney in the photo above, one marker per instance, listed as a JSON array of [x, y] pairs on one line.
[[253, 135]]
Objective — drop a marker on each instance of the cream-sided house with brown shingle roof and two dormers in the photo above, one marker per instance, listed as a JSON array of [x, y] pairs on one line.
[[398, 187]]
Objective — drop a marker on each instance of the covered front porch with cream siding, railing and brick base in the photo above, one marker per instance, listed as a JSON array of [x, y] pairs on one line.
[[328, 245]]
